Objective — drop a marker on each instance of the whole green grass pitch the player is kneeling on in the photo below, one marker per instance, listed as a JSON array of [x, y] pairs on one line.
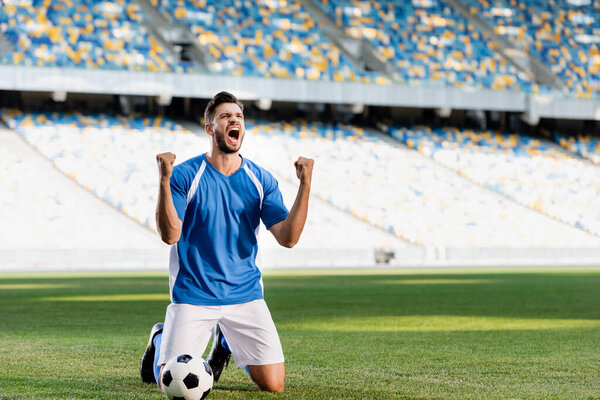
[[347, 334]]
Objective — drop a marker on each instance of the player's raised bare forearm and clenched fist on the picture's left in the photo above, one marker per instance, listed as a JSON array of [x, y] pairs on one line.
[[167, 221]]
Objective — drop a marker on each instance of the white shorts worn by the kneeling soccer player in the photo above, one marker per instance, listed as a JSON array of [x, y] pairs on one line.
[[247, 327]]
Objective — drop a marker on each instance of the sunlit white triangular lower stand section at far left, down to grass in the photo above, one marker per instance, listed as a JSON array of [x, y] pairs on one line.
[[52, 223]]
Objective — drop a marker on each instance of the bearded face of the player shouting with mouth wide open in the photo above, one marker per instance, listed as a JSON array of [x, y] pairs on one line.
[[228, 128]]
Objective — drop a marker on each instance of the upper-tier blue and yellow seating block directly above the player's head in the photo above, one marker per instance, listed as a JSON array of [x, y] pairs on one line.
[[277, 38]]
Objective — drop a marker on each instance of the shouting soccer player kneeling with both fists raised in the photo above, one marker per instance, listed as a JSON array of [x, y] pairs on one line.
[[209, 209]]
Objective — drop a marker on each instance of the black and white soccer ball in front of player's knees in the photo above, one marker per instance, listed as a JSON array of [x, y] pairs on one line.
[[187, 378]]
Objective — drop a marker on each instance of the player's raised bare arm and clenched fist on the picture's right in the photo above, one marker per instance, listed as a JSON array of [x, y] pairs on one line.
[[287, 232]]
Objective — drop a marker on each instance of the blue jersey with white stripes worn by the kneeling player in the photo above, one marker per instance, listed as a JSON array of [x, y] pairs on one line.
[[214, 261]]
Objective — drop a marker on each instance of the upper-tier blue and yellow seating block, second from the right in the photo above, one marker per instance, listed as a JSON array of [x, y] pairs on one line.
[[428, 42]]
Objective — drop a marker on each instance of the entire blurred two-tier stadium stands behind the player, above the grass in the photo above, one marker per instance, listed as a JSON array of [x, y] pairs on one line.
[[445, 132]]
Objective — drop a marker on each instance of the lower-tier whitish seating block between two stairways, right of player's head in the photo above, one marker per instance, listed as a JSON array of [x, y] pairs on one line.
[[400, 191]]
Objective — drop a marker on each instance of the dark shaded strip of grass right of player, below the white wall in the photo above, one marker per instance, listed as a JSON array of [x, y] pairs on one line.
[[536, 295]]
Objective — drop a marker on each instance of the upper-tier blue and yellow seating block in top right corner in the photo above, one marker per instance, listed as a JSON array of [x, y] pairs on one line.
[[561, 33]]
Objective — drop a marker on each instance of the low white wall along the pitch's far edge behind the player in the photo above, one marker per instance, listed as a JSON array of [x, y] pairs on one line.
[[119, 259]]
